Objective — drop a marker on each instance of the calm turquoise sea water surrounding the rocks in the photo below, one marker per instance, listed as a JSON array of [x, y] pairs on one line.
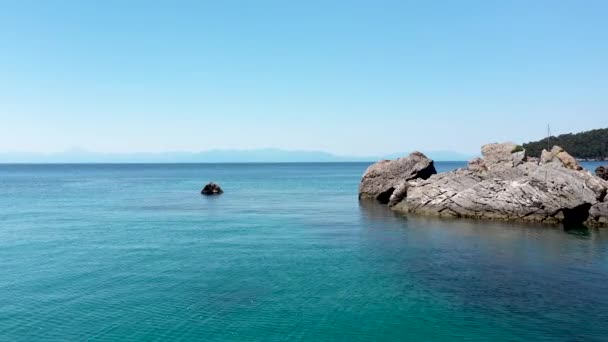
[[133, 252]]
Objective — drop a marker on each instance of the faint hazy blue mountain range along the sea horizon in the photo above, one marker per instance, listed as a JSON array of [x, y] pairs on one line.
[[210, 156]]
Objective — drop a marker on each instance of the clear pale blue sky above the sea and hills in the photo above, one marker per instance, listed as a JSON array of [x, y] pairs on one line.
[[348, 77]]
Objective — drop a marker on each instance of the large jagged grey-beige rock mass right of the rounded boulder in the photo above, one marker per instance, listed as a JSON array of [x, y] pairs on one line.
[[505, 185]]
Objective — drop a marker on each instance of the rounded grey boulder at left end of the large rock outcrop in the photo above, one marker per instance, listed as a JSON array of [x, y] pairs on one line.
[[386, 181]]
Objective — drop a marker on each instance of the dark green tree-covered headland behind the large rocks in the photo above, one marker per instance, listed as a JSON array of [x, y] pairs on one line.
[[589, 145]]
